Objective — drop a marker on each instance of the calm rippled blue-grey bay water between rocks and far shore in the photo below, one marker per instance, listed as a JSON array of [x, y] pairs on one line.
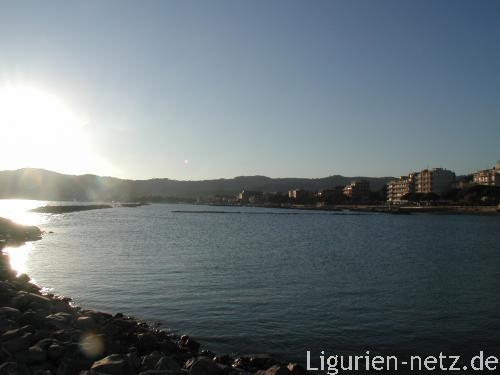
[[280, 281]]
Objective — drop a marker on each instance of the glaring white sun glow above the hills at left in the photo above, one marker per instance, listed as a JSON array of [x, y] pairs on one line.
[[40, 130]]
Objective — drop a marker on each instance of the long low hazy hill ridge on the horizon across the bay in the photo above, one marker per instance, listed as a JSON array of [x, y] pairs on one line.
[[41, 184]]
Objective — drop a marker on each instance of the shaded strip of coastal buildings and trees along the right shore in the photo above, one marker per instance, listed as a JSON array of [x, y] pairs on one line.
[[436, 186]]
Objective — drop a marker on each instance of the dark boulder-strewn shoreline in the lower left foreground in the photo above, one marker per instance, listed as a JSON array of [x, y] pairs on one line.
[[45, 334]]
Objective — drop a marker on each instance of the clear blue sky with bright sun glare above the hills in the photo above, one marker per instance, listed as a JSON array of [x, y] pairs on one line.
[[215, 89]]
